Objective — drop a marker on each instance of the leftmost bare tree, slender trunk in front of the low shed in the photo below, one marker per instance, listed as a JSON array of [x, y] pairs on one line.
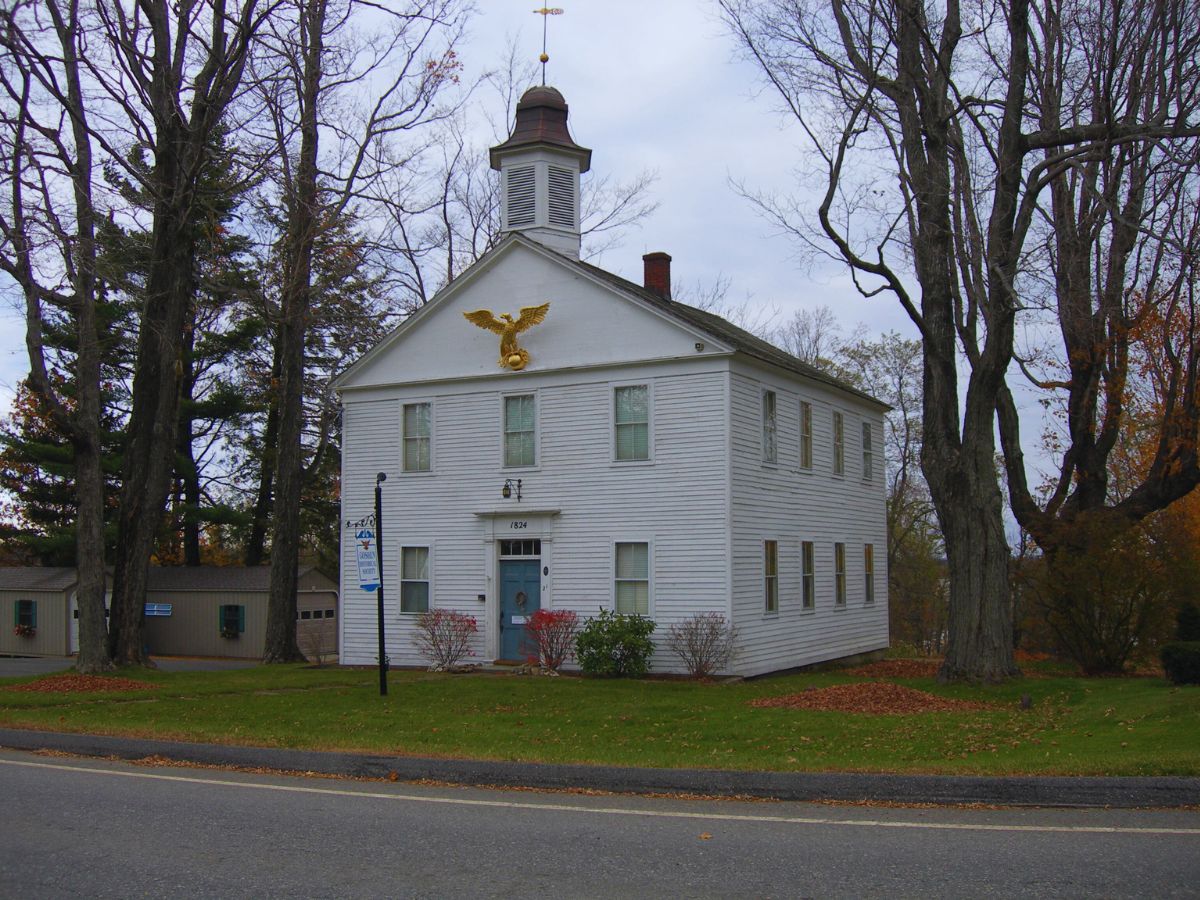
[[49, 248]]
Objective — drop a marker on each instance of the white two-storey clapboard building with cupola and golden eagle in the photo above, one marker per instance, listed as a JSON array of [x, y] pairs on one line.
[[610, 451]]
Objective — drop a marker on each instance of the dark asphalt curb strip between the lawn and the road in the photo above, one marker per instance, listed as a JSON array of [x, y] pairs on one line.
[[1120, 793]]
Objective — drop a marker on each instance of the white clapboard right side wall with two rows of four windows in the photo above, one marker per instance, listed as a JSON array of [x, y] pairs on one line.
[[790, 506]]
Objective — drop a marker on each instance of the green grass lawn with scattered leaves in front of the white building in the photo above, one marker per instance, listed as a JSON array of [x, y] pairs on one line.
[[1112, 727]]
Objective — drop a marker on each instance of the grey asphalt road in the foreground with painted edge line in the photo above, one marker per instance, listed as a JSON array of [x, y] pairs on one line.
[[93, 829]]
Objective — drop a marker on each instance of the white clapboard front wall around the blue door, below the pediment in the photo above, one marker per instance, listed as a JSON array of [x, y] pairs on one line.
[[677, 502]]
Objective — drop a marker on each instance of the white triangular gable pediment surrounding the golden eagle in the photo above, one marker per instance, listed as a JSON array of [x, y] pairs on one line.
[[590, 323]]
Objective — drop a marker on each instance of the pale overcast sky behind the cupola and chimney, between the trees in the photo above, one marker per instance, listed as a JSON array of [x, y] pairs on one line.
[[652, 87]]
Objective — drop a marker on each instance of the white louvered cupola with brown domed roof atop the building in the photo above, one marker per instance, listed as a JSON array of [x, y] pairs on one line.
[[541, 167]]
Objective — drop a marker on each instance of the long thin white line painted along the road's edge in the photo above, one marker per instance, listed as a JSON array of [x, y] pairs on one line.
[[610, 811]]
